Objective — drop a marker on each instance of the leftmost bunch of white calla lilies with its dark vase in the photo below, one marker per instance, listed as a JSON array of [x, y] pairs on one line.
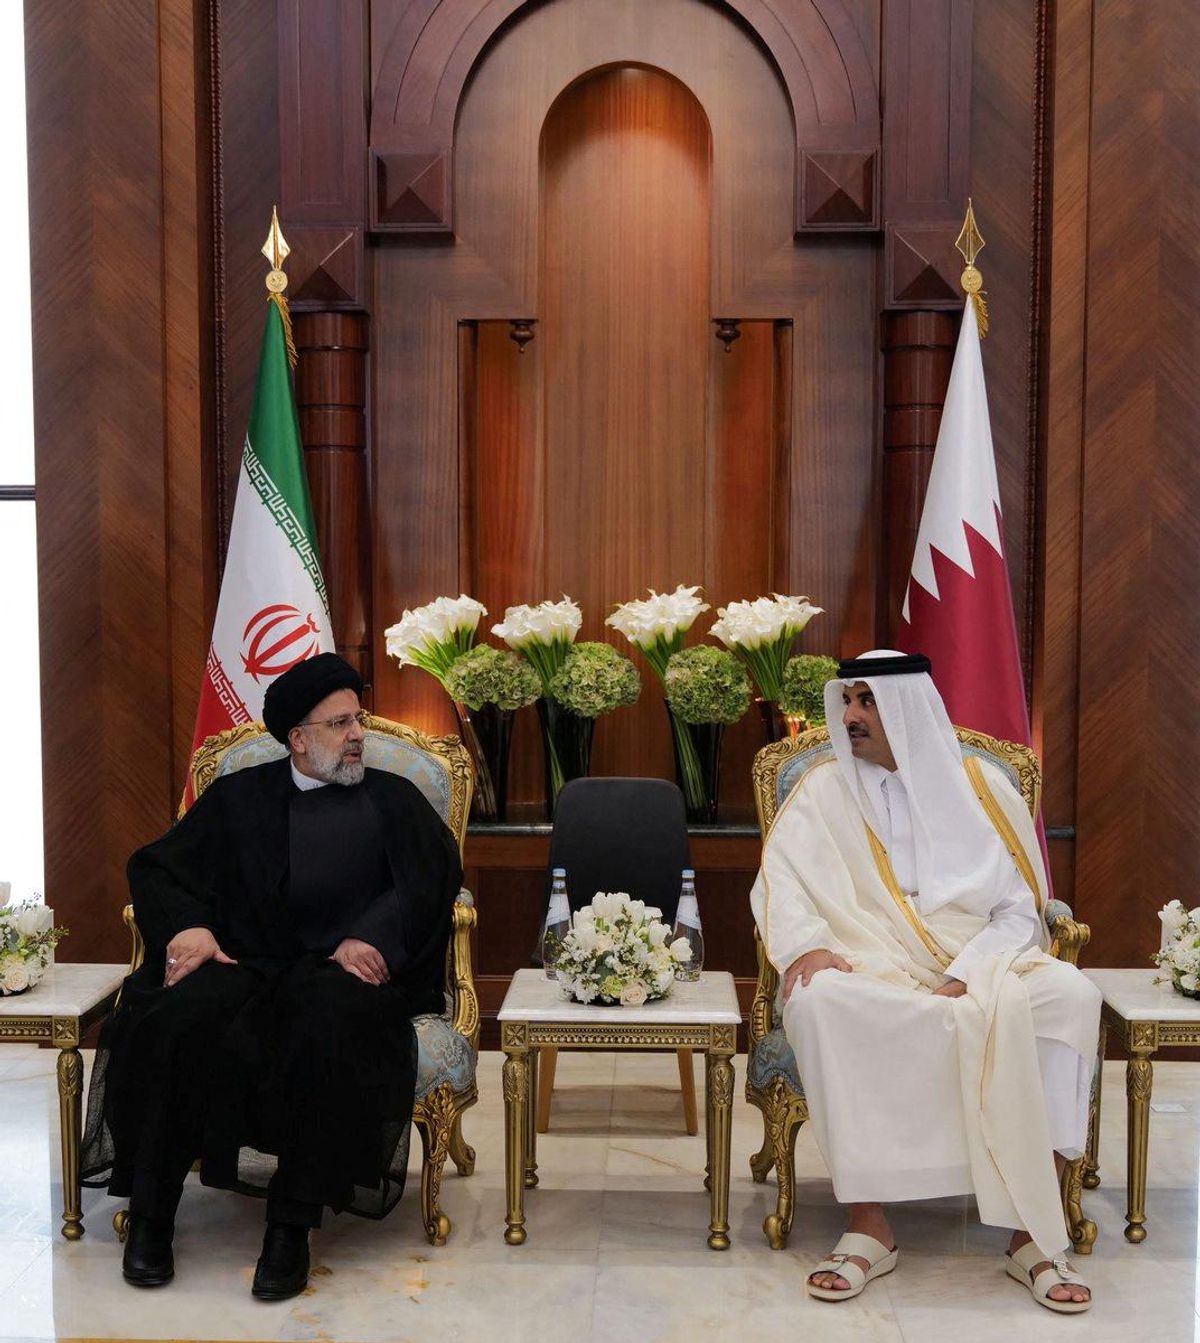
[[434, 639]]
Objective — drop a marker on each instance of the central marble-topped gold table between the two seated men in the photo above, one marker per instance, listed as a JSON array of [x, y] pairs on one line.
[[701, 1016]]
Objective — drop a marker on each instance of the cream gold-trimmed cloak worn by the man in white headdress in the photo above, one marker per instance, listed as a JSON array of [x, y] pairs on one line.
[[911, 1095]]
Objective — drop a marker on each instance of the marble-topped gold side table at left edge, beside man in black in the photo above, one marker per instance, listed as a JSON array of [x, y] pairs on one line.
[[58, 1012]]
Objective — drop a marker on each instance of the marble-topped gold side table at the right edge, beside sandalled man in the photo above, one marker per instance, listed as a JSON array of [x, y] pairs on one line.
[[1147, 1017]]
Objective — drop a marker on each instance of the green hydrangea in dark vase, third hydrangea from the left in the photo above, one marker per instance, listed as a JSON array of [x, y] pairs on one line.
[[707, 691]]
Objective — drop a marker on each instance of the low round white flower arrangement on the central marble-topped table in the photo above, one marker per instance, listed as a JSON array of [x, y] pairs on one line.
[[617, 952]]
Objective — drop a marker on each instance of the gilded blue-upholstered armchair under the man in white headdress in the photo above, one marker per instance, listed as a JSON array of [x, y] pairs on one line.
[[772, 1075]]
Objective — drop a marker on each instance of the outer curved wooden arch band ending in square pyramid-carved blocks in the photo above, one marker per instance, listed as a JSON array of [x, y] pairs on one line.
[[434, 46]]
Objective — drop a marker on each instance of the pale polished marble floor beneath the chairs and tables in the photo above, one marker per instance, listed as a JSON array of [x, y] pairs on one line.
[[617, 1240]]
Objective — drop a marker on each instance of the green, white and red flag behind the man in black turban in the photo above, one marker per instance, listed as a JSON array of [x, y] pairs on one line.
[[273, 610]]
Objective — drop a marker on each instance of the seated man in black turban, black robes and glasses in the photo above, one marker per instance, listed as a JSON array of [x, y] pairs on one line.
[[296, 921]]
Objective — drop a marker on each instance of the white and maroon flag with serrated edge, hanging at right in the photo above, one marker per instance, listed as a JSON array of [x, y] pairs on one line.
[[959, 604]]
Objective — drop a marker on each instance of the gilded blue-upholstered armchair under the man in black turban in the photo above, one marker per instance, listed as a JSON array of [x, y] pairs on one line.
[[448, 1044]]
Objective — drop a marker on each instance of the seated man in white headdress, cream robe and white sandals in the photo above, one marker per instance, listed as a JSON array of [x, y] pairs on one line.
[[943, 1051]]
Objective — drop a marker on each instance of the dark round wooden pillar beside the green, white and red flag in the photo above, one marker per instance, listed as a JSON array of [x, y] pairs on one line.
[[331, 397]]
